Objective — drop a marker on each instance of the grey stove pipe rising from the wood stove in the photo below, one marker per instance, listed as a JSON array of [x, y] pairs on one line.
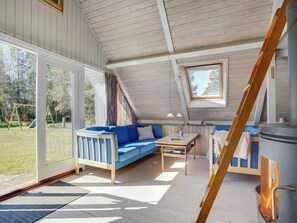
[[292, 59]]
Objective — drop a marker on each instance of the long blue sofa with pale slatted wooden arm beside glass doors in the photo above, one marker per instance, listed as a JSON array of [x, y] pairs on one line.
[[113, 147]]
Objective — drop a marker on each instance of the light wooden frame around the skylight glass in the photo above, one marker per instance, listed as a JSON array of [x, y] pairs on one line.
[[202, 67]]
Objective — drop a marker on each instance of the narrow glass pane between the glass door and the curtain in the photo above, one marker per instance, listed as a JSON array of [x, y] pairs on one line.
[[95, 99]]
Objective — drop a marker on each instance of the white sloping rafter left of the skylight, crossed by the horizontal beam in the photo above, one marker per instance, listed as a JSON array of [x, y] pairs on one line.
[[169, 42]]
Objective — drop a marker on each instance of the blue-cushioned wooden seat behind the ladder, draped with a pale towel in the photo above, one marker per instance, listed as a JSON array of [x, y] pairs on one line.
[[246, 166]]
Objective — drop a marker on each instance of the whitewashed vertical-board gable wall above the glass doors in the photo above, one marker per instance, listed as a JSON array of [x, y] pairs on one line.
[[67, 34]]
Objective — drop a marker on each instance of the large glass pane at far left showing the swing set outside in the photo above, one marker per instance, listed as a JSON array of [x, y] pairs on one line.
[[17, 118]]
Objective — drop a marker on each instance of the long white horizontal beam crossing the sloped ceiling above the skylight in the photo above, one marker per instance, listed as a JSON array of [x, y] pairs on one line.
[[184, 55]]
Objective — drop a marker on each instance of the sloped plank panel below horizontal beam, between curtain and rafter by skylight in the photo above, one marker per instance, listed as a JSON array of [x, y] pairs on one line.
[[147, 88]]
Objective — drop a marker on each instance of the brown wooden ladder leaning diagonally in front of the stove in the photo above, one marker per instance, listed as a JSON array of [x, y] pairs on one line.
[[244, 109]]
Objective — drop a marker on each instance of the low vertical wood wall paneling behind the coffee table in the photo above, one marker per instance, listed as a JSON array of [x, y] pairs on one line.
[[201, 146]]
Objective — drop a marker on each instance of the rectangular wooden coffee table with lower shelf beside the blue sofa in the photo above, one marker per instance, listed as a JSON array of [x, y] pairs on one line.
[[174, 146]]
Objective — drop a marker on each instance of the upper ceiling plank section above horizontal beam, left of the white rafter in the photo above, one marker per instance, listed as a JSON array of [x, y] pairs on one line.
[[126, 29]]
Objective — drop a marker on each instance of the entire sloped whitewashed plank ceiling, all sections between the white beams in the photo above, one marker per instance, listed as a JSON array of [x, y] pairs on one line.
[[132, 29]]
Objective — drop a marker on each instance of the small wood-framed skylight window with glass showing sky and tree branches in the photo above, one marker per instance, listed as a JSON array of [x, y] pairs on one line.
[[206, 82]]
